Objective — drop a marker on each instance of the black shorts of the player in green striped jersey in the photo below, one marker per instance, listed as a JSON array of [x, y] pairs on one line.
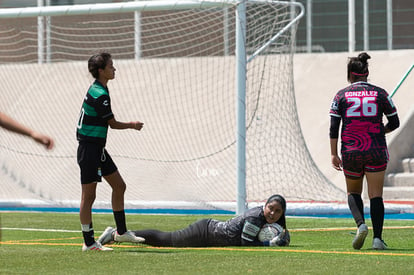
[[94, 162]]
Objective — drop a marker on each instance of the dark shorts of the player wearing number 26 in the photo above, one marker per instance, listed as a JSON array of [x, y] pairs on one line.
[[355, 164]]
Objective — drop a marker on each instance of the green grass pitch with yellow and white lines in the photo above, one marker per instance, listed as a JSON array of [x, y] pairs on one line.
[[324, 251]]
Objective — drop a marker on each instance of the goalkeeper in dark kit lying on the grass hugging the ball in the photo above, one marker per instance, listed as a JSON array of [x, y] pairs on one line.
[[241, 230]]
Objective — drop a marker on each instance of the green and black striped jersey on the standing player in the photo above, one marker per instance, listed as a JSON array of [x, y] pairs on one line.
[[94, 115]]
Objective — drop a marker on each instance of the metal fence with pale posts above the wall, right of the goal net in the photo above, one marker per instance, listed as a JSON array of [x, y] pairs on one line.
[[351, 25]]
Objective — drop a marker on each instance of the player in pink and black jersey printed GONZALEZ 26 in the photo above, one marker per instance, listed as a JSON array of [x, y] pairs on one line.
[[361, 107]]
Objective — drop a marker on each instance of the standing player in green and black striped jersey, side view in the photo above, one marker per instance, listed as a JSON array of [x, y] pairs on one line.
[[93, 159]]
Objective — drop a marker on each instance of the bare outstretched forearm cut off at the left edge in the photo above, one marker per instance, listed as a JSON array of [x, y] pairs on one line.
[[12, 125]]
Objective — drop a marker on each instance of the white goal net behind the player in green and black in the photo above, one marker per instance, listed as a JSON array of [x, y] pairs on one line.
[[176, 72]]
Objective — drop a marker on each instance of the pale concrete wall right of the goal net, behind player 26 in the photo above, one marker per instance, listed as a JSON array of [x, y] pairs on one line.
[[319, 76]]
